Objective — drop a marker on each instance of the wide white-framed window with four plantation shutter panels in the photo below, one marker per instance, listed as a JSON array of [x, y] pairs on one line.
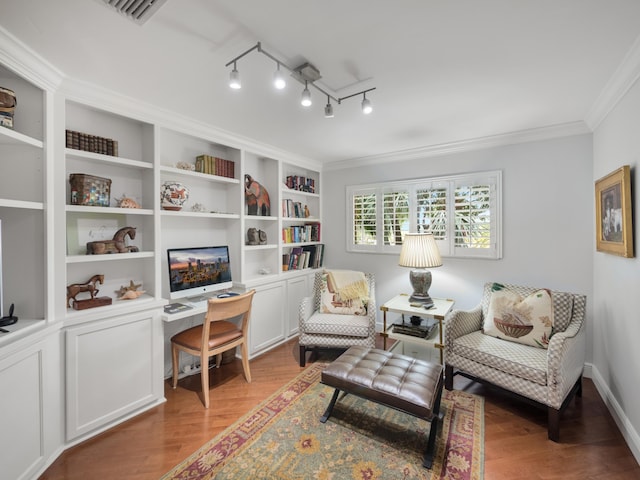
[[463, 212]]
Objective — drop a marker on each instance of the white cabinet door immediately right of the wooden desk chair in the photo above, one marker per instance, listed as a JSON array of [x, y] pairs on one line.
[[267, 317]]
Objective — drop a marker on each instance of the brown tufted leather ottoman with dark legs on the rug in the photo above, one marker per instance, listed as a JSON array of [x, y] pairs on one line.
[[397, 381]]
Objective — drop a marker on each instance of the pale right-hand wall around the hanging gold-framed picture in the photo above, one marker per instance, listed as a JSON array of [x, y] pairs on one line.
[[616, 280]]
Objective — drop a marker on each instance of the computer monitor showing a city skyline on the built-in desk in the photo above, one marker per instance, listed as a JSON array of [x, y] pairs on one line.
[[197, 271]]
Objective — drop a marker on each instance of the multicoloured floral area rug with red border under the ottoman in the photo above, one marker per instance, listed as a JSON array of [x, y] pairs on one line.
[[283, 439]]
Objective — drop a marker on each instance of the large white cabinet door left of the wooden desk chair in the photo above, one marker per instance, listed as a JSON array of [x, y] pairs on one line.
[[114, 367]]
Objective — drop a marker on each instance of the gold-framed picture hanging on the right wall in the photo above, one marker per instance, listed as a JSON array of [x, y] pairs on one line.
[[614, 229]]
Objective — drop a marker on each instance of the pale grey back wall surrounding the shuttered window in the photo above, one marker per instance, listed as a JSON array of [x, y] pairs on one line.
[[547, 220]]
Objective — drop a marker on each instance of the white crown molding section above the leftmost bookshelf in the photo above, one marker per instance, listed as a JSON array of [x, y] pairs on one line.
[[23, 61]]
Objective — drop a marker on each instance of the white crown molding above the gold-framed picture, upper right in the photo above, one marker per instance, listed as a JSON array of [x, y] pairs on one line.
[[625, 76]]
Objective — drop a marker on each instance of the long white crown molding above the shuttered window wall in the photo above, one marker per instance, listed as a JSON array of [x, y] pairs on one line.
[[522, 136]]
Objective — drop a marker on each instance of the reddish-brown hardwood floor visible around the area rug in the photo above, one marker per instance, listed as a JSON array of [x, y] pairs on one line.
[[516, 444]]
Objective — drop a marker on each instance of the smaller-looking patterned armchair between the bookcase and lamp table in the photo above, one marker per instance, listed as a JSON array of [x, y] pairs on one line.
[[324, 323]]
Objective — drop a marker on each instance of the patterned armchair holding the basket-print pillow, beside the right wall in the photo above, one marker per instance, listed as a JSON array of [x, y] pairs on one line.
[[548, 377]]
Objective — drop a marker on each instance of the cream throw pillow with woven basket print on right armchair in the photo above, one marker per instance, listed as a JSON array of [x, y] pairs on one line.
[[524, 320]]
